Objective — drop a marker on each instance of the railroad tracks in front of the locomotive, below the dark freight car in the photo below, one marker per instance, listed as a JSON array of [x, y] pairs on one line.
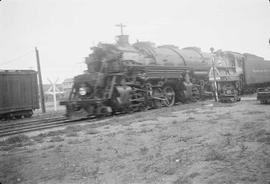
[[35, 125]]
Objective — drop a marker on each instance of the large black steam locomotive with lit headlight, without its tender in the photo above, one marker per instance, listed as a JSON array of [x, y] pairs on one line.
[[125, 78]]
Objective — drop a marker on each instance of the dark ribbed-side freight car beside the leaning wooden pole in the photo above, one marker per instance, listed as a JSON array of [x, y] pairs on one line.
[[18, 94]]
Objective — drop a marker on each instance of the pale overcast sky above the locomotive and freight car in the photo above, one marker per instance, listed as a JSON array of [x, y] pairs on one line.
[[64, 30]]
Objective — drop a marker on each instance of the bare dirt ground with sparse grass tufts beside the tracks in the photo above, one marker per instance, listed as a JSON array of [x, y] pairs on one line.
[[203, 142]]
